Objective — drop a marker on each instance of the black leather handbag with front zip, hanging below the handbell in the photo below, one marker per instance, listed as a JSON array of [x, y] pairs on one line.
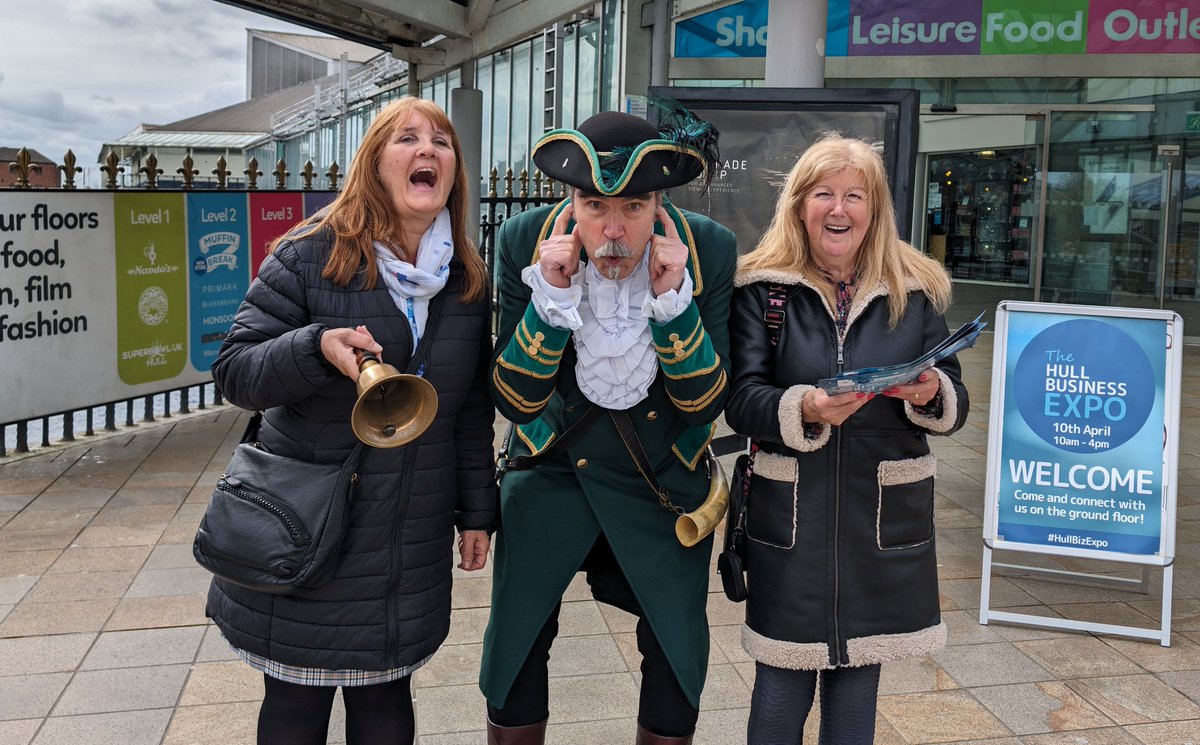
[[275, 525]]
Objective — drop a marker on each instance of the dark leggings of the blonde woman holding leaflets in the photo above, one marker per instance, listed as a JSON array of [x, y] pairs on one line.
[[782, 701]]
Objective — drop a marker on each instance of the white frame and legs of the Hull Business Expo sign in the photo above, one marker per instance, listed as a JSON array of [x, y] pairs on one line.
[[1162, 558]]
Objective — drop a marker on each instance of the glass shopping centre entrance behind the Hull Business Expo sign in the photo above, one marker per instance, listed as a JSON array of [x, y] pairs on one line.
[[1095, 206]]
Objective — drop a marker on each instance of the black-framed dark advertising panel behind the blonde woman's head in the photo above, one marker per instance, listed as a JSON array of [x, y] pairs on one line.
[[764, 133]]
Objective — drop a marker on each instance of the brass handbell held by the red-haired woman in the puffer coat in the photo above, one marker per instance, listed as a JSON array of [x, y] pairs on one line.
[[393, 408]]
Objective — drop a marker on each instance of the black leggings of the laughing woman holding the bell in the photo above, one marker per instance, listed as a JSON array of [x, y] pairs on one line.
[[293, 714]]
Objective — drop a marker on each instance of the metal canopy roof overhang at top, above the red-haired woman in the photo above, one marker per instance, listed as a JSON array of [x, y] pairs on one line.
[[431, 35]]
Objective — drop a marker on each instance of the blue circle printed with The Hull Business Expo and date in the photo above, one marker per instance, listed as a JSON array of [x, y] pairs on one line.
[[1084, 386]]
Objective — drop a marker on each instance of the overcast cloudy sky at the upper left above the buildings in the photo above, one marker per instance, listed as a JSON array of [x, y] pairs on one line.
[[76, 74]]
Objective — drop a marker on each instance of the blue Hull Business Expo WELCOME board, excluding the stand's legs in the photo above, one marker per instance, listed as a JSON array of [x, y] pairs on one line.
[[1084, 435]]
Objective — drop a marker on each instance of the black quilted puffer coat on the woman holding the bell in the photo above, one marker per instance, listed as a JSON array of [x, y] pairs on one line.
[[389, 603]]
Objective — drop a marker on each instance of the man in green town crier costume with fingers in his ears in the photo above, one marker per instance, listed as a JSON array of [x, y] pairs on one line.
[[613, 361]]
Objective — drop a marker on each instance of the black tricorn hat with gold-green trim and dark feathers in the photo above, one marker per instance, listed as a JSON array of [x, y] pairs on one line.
[[621, 155]]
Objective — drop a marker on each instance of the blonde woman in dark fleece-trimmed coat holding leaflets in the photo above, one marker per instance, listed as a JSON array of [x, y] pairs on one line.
[[842, 568]]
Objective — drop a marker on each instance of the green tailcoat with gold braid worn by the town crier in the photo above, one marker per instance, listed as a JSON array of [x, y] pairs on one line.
[[554, 513]]
